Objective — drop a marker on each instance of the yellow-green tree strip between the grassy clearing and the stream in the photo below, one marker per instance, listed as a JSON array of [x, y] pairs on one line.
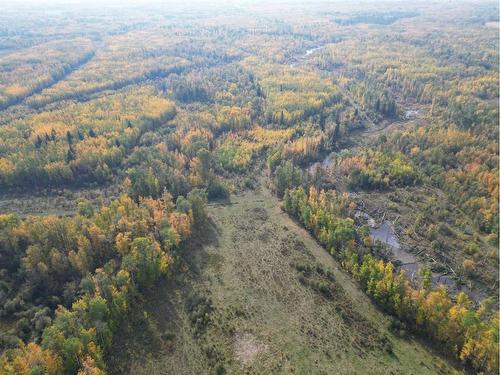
[[470, 334]]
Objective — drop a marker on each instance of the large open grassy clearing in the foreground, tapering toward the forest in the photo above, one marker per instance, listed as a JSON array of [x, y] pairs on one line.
[[257, 295]]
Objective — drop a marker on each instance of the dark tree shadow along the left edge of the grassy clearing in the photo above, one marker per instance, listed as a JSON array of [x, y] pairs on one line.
[[154, 322]]
